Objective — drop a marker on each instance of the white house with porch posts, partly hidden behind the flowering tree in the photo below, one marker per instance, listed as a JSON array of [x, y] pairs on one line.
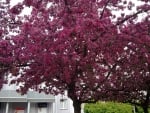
[[33, 102]]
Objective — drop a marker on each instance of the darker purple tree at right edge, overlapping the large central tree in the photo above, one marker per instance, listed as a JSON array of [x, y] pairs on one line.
[[133, 86]]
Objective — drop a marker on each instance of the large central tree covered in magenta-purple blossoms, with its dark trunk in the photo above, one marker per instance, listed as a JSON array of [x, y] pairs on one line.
[[75, 45]]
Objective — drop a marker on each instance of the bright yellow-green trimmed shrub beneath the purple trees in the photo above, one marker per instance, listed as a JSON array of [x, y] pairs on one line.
[[109, 107]]
